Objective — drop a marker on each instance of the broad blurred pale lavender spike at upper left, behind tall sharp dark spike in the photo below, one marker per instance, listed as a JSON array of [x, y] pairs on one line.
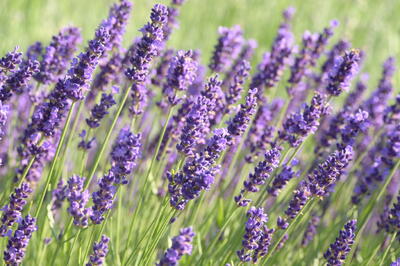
[[57, 55]]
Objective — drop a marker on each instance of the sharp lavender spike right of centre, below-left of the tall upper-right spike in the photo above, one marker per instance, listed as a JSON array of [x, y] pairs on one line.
[[299, 125]]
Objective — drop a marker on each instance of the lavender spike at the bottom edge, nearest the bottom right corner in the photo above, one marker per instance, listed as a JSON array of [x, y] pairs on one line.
[[337, 252]]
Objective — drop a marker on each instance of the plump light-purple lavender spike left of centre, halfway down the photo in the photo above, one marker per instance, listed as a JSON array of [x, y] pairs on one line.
[[125, 151]]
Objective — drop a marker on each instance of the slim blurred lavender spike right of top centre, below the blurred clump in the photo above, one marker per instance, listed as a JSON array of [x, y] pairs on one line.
[[236, 86]]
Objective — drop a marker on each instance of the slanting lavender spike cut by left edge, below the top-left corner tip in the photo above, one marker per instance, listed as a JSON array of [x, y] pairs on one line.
[[18, 80]]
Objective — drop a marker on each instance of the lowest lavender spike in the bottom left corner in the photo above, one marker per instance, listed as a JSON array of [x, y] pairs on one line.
[[17, 244]]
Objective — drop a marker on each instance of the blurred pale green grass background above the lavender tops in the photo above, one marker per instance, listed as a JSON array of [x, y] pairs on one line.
[[372, 25]]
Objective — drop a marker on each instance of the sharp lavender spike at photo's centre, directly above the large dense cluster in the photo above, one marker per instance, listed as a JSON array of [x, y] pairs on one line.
[[196, 121]]
